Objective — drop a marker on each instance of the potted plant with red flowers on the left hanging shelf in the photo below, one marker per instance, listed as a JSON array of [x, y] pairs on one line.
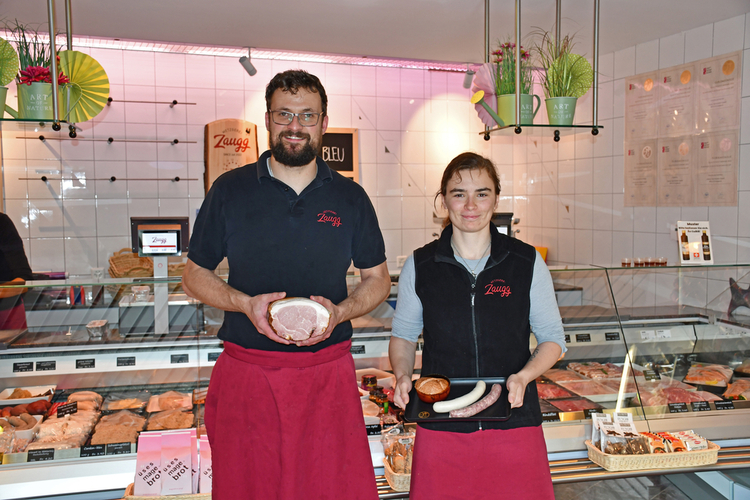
[[34, 81]]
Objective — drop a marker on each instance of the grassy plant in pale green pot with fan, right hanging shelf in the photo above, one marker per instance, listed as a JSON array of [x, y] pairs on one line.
[[564, 76]]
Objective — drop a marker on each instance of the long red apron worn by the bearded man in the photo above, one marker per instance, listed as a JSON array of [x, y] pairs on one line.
[[287, 426]]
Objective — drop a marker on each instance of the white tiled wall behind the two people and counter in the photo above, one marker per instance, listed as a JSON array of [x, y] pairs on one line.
[[568, 195]]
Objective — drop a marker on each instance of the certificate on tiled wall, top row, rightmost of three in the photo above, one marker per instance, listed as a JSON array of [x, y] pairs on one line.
[[719, 90]]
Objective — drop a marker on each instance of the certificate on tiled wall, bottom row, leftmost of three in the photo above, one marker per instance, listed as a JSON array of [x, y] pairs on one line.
[[640, 174]]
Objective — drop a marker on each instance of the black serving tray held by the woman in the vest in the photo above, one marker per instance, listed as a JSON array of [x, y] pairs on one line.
[[419, 411]]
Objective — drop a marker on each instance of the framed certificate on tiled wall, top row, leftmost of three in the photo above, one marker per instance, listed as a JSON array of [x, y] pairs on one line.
[[641, 99]]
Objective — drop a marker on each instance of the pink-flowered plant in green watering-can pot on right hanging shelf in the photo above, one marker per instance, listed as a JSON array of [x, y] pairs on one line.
[[505, 85]]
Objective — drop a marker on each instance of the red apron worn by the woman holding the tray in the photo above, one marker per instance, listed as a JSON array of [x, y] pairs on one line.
[[484, 465]]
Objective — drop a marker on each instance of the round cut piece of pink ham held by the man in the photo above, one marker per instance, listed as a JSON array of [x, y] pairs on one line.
[[297, 318]]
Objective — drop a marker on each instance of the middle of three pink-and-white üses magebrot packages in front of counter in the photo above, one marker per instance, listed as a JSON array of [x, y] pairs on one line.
[[176, 464]]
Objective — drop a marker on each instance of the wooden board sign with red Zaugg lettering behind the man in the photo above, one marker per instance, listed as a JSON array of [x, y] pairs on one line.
[[229, 143]]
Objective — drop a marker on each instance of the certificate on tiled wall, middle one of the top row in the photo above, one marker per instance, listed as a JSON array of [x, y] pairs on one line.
[[677, 100]]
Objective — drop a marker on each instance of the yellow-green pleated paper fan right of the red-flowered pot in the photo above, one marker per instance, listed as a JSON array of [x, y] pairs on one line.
[[89, 85]]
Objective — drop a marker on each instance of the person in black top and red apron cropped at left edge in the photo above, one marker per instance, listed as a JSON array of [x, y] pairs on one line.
[[14, 270]]
